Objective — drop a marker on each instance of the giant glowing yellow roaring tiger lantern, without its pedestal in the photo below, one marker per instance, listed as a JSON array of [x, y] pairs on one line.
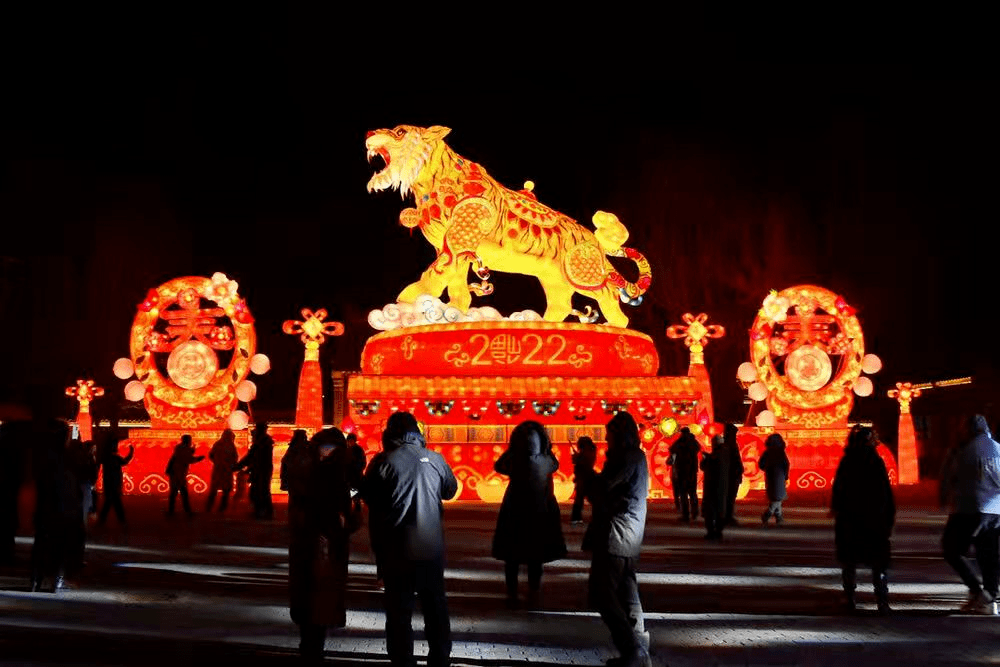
[[474, 222]]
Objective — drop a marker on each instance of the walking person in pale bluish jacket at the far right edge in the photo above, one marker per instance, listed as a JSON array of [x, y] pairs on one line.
[[970, 484]]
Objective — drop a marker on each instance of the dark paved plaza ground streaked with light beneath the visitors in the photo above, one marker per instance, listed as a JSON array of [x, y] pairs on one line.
[[213, 590]]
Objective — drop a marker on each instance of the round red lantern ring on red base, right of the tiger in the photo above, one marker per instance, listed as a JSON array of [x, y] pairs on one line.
[[807, 351]]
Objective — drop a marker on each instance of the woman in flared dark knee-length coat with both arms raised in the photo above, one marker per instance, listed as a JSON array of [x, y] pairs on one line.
[[529, 525]]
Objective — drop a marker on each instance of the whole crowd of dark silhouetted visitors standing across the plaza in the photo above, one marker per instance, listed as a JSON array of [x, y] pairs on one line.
[[403, 487]]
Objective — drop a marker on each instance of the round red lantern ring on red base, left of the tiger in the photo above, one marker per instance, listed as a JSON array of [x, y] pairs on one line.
[[192, 345]]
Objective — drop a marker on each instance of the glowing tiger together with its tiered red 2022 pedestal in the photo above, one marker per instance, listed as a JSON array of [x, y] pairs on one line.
[[471, 374]]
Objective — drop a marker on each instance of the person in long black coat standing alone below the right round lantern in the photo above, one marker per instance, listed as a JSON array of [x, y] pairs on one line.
[[864, 512]]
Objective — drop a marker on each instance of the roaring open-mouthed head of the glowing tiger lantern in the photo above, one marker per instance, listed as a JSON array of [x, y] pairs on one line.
[[405, 150]]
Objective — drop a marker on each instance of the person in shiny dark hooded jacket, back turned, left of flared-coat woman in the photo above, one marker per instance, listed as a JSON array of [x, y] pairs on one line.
[[404, 491]]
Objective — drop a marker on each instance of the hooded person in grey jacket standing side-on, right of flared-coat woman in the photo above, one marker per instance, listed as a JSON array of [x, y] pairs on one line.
[[614, 539]]
